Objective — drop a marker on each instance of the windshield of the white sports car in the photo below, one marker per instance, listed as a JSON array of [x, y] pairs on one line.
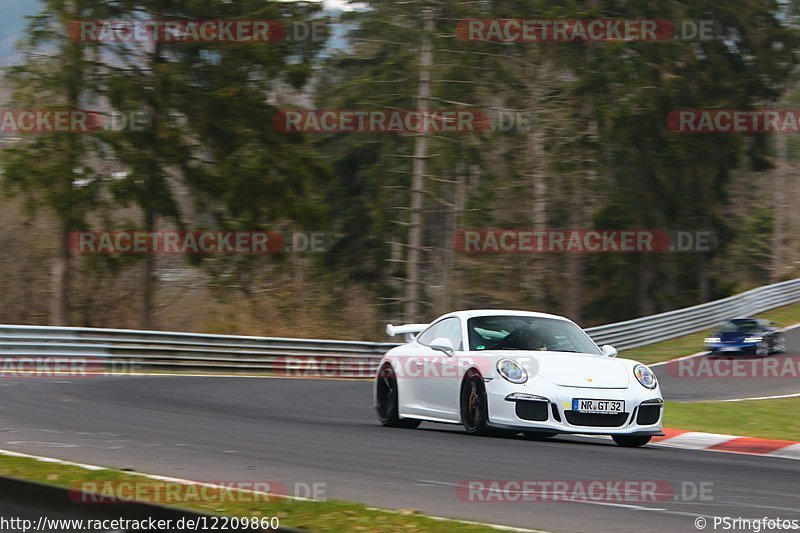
[[528, 333]]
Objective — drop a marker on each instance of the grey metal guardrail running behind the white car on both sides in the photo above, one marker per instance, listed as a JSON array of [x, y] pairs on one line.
[[130, 351]]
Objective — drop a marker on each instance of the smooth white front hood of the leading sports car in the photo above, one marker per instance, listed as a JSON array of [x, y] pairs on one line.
[[573, 370]]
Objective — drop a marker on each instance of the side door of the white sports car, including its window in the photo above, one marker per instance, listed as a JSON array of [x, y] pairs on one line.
[[438, 387]]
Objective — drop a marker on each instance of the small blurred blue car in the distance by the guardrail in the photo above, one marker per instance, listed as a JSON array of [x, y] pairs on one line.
[[747, 336]]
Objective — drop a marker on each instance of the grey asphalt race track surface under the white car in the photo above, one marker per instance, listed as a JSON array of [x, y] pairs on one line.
[[324, 431]]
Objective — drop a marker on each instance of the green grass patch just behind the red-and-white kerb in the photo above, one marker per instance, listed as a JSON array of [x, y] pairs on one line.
[[769, 419]]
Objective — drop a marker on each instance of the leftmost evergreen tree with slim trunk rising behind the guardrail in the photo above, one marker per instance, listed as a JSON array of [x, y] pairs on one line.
[[58, 72]]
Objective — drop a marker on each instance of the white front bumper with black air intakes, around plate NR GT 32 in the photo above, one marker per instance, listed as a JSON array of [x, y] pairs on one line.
[[552, 412]]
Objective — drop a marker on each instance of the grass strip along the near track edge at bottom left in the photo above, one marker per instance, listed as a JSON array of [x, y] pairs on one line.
[[307, 515]]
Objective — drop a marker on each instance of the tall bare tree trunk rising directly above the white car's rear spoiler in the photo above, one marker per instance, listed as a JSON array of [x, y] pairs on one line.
[[413, 289]]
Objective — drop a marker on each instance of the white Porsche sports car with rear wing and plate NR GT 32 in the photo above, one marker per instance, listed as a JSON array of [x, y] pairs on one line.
[[515, 371]]
